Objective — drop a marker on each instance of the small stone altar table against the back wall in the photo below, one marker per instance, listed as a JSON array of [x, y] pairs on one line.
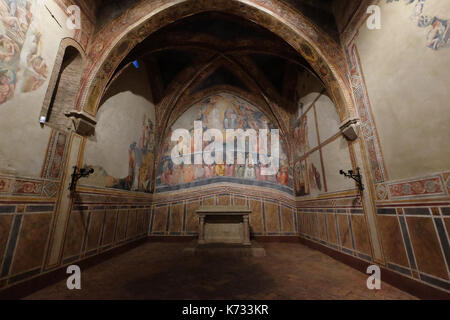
[[224, 224]]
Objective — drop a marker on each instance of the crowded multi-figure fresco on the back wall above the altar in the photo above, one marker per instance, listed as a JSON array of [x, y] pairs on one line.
[[221, 111]]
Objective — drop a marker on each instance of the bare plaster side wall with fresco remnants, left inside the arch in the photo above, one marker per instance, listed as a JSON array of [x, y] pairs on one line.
[[121, 150]]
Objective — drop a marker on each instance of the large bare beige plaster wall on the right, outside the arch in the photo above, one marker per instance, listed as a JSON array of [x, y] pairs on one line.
[[406, 75]]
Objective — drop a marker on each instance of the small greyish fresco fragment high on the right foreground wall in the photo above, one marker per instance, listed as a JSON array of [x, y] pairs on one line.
[[438, 36]]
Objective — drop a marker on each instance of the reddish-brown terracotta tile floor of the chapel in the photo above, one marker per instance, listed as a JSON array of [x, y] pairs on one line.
[[162, 271]]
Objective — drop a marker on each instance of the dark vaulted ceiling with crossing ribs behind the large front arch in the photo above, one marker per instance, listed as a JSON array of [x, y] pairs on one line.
[[233, 52]]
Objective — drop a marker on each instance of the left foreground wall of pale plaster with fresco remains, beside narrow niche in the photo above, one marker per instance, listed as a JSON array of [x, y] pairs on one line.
[[26, 63]]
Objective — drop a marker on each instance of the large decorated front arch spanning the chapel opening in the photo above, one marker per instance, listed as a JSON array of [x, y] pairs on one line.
[[118, 38]]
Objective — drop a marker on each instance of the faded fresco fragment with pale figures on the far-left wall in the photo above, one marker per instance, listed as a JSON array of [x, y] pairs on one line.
[[21, 63]]
